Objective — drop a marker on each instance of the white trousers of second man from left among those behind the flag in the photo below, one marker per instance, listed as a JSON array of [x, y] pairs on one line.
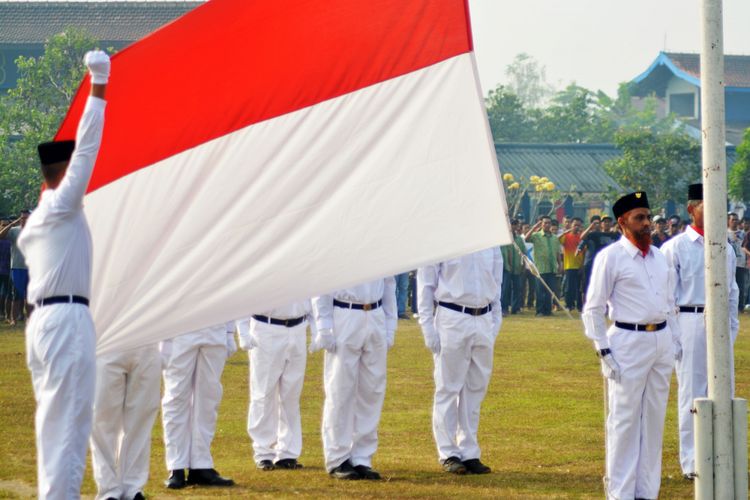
[[192, 393]]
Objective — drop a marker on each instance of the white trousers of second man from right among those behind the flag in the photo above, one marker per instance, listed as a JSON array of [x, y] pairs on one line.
[[354, 380]]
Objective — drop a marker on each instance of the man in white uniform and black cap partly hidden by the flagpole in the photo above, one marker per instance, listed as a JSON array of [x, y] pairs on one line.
[[685, 253]]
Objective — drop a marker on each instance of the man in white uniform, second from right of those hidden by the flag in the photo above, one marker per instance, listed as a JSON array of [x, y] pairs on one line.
[[356, 326]]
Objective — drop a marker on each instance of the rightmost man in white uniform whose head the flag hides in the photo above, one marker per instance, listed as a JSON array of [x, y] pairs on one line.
[[461, 334]]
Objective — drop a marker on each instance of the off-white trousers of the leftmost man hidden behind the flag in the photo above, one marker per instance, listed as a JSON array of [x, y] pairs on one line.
[[127, 399]]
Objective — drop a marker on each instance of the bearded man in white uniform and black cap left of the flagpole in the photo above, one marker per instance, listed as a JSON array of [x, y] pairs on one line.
[[633, 280]]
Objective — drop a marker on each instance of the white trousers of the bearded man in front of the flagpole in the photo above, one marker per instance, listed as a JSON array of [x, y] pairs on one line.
[[637, 407]]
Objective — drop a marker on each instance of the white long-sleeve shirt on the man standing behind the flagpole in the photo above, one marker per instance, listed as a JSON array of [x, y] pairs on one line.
[[685, 253]]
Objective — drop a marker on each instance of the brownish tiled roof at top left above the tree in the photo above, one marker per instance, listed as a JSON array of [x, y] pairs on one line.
[[35, 22]]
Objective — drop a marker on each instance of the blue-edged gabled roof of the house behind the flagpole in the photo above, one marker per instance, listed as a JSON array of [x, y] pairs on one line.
[[687, 67]]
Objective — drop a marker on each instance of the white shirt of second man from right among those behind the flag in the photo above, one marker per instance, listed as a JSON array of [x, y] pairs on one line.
[[367, 293]]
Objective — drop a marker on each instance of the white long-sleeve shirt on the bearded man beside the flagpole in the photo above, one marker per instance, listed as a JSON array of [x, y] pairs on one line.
[[638, 289]]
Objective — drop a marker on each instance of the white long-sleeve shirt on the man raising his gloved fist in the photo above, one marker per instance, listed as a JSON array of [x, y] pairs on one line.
[[56, 240]]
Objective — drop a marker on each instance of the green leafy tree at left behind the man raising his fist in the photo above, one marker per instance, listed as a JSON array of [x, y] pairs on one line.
[[31, 112]]
